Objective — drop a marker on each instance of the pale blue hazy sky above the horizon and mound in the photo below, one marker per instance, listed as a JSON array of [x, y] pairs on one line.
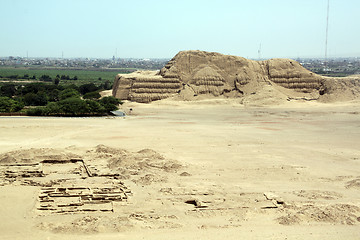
[[159, 29]]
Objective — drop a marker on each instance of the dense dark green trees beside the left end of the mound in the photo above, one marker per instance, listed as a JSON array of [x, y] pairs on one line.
[[52, 99]]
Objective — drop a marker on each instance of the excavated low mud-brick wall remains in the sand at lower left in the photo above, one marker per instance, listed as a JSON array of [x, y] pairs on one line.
[[70, 186]]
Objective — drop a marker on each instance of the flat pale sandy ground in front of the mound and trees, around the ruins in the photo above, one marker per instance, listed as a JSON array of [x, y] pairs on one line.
[[210, 170]]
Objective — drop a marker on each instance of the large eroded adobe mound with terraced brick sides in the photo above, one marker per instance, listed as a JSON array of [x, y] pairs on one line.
[[208, 73]]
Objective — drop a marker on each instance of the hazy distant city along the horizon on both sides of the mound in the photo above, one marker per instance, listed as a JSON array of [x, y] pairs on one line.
[[333, 66]]
